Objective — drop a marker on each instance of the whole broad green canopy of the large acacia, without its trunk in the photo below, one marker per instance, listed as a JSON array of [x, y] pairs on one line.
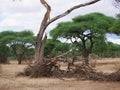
[[95, 22]]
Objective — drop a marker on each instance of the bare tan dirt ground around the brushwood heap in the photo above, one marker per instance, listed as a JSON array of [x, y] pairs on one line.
[[9, 81]]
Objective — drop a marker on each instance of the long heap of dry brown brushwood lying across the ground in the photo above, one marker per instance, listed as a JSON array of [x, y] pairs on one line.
[[82, 72]]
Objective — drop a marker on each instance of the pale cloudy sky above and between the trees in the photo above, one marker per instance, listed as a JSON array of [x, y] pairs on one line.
[[28, 14]]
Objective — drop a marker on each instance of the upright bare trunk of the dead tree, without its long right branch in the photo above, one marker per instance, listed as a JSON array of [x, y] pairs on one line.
[[41, 33]]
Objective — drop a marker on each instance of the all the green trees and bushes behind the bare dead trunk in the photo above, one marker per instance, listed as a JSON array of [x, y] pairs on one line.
[[86, 35]]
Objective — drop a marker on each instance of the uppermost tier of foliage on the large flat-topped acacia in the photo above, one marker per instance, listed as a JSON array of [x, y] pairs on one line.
[[96, 20]]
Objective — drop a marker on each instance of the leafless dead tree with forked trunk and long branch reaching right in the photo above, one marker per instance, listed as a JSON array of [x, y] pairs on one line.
[[41, 39]]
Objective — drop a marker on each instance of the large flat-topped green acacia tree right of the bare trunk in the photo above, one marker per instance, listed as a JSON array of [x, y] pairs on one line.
[[83, 30]]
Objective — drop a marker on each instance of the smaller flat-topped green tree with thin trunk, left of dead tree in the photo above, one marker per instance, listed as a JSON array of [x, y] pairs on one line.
[[19, 42]]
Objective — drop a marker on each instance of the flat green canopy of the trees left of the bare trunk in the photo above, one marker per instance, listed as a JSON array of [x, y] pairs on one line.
[[7, 37]]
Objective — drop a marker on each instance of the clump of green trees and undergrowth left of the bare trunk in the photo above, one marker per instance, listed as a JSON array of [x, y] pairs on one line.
[[16, 45]]
